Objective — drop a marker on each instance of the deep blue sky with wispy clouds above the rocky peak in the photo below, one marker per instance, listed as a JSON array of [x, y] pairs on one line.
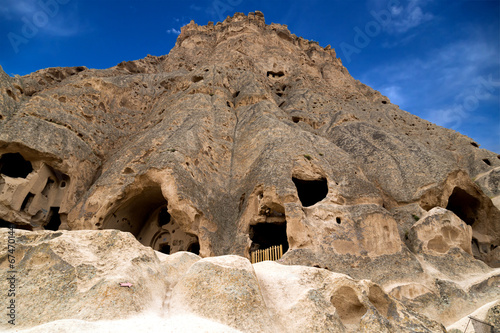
[[437, 59]]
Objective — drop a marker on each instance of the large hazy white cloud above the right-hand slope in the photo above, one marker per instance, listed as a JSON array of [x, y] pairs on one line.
[[447, 86]]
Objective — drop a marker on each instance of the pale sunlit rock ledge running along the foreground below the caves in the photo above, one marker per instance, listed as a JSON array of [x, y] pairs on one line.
[[71, 280]]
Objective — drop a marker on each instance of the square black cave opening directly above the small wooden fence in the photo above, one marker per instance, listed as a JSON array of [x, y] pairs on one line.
[[265, 235]]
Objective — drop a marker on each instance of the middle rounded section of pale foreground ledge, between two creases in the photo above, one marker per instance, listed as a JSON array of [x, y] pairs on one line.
[[223, 289]]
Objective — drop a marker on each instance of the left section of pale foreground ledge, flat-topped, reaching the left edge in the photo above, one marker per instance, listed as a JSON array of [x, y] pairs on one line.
[[77, 275]]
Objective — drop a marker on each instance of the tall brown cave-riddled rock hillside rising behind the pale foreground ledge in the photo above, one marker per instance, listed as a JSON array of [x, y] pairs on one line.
[[236, 111]]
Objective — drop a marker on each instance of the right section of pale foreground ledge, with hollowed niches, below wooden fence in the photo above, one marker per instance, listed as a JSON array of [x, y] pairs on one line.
[[305, 299]]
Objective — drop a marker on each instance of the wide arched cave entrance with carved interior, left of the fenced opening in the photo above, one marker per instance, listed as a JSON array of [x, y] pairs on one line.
[[146, 216]]
